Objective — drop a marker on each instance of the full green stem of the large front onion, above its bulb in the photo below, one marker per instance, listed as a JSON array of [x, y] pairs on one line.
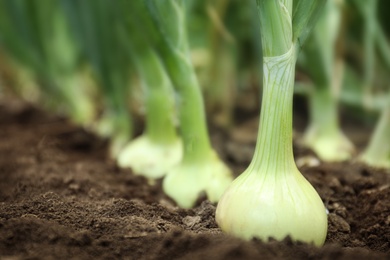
[[274, 142]]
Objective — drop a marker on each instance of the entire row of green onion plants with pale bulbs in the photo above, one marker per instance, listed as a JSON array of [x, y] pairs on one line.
[[118, 47]]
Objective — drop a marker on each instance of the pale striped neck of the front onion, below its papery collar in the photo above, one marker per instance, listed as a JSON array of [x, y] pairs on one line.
[[274, 143]]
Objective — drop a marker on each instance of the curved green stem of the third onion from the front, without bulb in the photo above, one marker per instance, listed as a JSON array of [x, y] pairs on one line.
[[160, 126]]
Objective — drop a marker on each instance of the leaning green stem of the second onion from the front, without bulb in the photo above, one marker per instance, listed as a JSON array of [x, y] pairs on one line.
[[170, 40]]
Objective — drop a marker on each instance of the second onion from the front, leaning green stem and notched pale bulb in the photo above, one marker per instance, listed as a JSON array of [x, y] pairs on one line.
[[200, 169]]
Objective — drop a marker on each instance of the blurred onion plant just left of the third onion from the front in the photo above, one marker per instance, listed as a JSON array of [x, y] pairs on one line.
[[96, 25]]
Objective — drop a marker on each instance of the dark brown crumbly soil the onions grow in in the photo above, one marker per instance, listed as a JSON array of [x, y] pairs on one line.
[[61, 198]]
